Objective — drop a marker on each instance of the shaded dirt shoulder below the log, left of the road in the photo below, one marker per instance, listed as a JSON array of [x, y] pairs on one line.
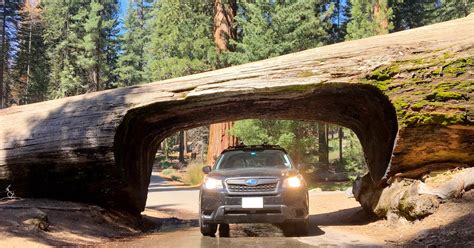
[[41, 222]]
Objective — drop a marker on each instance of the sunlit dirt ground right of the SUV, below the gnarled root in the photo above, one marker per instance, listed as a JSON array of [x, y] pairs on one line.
[[450, 226]]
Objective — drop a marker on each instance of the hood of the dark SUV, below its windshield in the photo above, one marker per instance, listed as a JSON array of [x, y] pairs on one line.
[[254, 172]]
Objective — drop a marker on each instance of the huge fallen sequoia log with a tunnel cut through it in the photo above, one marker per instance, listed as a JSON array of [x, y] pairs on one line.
[[407, 96]]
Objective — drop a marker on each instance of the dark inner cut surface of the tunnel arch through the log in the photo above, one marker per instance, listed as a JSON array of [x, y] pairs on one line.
[[360, 107]]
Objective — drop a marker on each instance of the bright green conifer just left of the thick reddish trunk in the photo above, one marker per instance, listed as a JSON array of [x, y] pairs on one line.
[[181, 40]]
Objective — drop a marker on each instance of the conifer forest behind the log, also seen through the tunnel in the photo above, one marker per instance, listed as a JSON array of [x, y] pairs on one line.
[[57, 48]]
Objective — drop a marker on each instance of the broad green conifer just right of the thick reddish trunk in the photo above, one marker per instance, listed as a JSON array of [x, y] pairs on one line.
[[267, 29]]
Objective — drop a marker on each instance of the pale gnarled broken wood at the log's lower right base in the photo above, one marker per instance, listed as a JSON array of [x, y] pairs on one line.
[[413, 199]]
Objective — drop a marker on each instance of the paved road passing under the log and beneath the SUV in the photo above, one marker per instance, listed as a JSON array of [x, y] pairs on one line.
[[163, 195]]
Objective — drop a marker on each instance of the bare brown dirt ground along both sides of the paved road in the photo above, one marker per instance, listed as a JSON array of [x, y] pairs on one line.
[[331, 213]]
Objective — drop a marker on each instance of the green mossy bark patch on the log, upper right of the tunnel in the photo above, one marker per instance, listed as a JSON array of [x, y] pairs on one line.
[[432, 90]]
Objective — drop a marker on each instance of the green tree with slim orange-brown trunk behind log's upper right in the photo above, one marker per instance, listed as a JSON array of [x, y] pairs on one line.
[[369, 18]]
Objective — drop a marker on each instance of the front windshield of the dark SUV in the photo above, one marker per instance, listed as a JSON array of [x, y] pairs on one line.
[[253, 159]]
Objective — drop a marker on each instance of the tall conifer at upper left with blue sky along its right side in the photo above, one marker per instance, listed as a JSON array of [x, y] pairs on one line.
[[81, 44]]
